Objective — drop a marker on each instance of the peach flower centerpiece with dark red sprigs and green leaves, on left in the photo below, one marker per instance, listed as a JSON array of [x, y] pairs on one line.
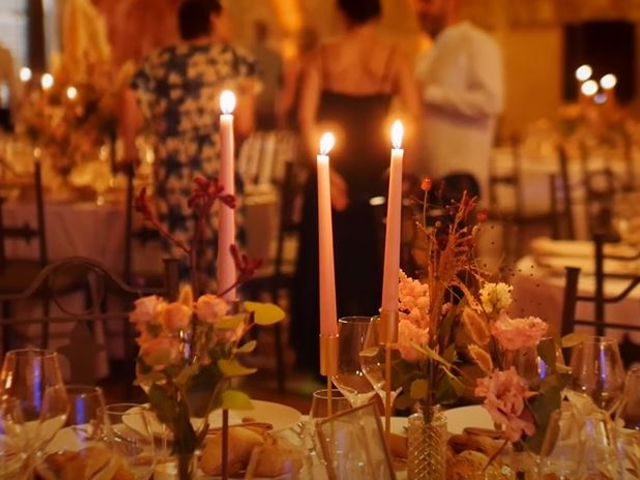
[[190, 348]]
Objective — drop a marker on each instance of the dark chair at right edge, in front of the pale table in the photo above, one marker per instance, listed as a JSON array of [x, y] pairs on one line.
[[630, 351]]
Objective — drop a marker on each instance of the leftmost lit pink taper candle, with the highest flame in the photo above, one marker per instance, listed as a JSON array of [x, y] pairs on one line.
[[226, 220]]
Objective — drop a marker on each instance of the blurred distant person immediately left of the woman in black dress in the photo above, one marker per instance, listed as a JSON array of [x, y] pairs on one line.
[[287, 104]]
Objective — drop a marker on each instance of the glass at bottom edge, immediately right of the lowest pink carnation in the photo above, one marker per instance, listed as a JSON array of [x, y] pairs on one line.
[[562, 451]]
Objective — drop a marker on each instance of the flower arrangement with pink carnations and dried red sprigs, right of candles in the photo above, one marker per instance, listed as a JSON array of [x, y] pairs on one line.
[[453, 319]]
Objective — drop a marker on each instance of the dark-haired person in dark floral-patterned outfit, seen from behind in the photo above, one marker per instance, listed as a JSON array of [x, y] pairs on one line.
[[175, 93]]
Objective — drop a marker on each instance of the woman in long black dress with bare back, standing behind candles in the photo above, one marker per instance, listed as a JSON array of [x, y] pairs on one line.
[[348, 87]]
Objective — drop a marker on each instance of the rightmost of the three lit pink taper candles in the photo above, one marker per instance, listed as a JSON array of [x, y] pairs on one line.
[[392, 238]]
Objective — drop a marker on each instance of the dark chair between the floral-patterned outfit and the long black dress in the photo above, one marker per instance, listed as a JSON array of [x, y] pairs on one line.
[[277, 275]]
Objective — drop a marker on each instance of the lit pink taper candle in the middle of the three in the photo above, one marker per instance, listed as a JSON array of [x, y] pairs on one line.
[[328, 309]]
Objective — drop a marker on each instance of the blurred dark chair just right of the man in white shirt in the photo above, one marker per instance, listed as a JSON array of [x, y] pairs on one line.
[[516, 219]]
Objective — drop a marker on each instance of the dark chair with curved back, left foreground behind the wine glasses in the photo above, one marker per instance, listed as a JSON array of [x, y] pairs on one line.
[[82, 349]]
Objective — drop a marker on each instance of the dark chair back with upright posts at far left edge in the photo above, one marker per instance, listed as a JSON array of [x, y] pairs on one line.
[[27, 232]]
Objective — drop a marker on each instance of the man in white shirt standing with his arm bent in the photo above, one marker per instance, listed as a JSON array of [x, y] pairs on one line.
[[462, 92]]
